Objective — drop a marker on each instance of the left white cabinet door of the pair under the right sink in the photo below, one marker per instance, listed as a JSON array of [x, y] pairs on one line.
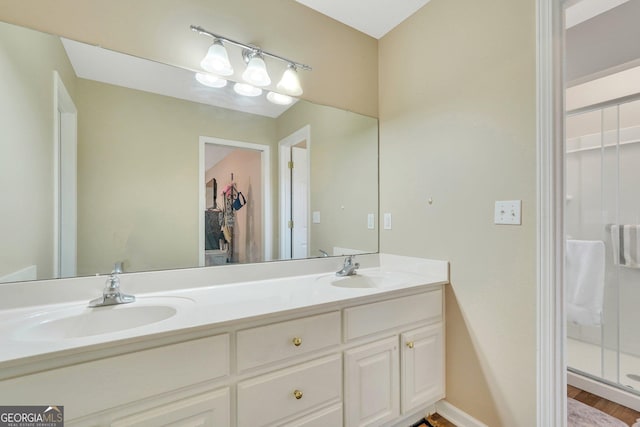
[[372, 386]]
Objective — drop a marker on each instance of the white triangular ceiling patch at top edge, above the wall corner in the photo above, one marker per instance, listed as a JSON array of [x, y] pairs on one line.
[[373, 17]]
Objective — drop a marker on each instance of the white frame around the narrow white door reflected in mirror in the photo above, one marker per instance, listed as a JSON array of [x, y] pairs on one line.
[[302, 134]]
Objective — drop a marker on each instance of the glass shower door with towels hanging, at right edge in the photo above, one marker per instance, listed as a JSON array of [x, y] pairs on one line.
[[603, 197]]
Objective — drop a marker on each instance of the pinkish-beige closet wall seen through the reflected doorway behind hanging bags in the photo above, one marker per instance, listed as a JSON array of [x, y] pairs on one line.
[[246, 167]]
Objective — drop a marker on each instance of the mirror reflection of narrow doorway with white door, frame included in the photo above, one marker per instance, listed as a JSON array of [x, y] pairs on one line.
[[294, 195]]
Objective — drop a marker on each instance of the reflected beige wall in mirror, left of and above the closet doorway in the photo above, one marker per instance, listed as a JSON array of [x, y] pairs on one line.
[[138, 174]]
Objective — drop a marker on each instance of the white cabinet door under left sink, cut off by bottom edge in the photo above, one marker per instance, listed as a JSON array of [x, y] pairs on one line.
[[209, 409]]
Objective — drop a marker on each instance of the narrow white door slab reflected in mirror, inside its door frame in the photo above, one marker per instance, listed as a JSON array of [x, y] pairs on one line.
[[299, 197]]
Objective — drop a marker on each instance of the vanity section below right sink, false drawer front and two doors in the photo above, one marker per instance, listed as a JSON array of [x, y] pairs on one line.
[[396, 375]]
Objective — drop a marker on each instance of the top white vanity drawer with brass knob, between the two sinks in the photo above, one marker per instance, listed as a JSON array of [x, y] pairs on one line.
[[270, 343]]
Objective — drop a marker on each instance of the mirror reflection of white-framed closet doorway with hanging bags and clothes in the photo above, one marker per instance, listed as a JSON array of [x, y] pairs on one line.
[[233, 202]]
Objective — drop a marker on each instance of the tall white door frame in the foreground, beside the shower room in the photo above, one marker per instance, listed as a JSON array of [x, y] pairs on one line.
[[551, 366]]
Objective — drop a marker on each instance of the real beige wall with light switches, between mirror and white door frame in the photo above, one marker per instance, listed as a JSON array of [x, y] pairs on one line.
[[457, 120]]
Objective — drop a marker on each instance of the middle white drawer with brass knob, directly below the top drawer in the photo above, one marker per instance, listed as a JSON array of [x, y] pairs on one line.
[[281, 394]]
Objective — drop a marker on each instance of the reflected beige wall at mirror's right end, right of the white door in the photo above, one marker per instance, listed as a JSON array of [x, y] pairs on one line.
[[344, 176]]
